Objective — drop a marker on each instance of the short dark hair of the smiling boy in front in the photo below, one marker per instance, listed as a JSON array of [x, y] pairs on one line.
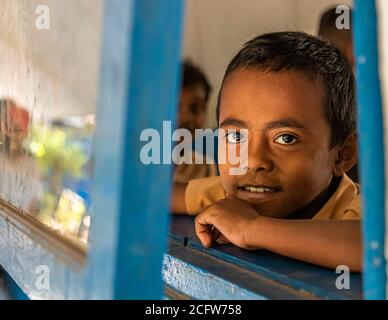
[[282, 51]]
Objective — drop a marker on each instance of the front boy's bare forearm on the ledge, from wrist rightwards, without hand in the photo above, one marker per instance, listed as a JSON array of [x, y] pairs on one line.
[[327, 243]]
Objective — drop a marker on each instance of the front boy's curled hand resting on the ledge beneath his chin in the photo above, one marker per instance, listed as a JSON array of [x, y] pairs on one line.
[[228, 220]]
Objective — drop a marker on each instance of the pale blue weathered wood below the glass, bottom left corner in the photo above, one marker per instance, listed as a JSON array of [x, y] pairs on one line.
[[23, 253]]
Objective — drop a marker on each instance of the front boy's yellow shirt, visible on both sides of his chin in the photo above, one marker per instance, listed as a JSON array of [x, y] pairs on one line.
[[345, 203]]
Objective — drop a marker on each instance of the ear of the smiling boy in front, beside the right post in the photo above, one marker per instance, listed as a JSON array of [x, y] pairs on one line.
[[346, 156]]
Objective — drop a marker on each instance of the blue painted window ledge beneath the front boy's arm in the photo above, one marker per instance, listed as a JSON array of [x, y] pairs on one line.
[[228, 272]]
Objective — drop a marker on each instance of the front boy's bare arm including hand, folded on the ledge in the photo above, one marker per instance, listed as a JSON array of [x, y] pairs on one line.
[[327, 243]]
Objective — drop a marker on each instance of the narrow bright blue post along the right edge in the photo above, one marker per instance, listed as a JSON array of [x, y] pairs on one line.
[[371, 137]]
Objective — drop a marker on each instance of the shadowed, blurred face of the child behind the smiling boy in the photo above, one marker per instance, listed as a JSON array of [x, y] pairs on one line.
[[192, 108]]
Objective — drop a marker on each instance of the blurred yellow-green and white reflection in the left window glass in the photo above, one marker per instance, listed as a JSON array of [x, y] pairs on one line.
[[62, 157]]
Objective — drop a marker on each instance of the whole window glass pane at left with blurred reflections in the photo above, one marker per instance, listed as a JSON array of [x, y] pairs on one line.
[[48, 96]]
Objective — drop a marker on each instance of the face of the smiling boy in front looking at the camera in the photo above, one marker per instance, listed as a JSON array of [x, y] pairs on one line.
[[290, 161]]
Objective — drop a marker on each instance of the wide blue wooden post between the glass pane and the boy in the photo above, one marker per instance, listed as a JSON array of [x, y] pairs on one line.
[[139, 89]]
